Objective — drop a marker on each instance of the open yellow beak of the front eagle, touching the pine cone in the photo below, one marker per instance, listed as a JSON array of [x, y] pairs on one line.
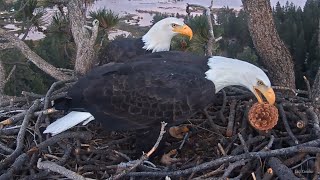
[[267, 92]]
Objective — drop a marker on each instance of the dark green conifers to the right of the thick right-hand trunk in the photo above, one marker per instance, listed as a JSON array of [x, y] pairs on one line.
[[298, 28]]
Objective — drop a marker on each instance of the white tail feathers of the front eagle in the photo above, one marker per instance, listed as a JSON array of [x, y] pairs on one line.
[[68, 121]]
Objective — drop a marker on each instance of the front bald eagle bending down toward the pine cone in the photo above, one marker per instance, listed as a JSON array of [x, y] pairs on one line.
[[154, 88]]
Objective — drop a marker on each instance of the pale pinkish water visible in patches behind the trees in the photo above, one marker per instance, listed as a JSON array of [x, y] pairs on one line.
[[125, 7]]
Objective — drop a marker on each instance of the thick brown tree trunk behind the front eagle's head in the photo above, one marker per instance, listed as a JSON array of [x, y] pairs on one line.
[[273, 52]]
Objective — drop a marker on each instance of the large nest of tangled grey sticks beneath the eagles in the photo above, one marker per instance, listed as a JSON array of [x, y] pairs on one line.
[[222, 144]]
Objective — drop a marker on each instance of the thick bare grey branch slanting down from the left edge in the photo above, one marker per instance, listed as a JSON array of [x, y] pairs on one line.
[[33, 57]]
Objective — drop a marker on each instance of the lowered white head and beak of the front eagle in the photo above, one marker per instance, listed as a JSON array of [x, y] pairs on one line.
[[225, 72]]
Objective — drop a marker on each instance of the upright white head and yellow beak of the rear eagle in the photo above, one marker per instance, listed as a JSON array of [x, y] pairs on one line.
[[158, 38]]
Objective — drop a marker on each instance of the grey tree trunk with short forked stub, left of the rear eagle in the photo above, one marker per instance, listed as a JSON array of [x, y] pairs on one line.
[[82, 37]]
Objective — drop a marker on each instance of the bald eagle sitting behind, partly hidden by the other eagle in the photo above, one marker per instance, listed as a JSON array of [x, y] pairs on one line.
[[157, 39]]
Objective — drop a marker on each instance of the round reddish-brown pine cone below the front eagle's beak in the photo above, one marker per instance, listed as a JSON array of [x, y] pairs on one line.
[[263, 116]]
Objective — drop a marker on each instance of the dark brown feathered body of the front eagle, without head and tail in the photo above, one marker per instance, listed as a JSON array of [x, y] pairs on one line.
[[166, 86]]
